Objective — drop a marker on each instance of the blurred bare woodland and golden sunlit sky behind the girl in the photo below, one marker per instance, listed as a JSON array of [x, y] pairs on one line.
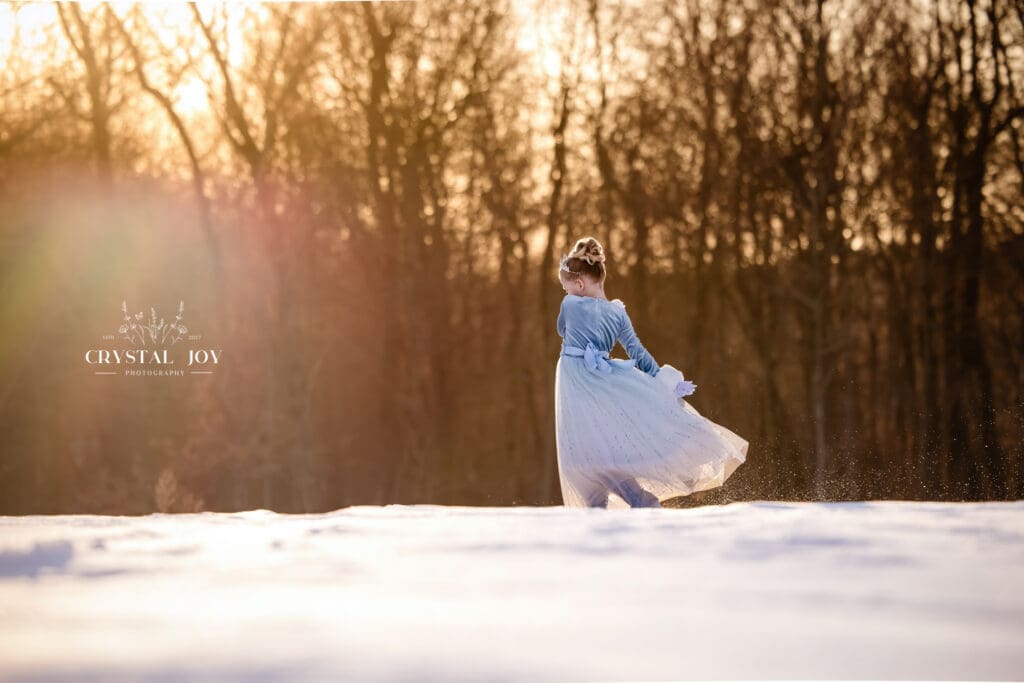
[[814, 209]]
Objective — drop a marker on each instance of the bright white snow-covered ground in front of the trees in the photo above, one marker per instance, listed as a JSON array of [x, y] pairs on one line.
[[760, 590]]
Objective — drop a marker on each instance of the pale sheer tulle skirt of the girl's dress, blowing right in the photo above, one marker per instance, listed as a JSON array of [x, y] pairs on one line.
[[624, 437]]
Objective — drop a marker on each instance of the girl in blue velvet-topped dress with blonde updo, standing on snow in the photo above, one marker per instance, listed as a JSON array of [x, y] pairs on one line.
[[622, 426]]
